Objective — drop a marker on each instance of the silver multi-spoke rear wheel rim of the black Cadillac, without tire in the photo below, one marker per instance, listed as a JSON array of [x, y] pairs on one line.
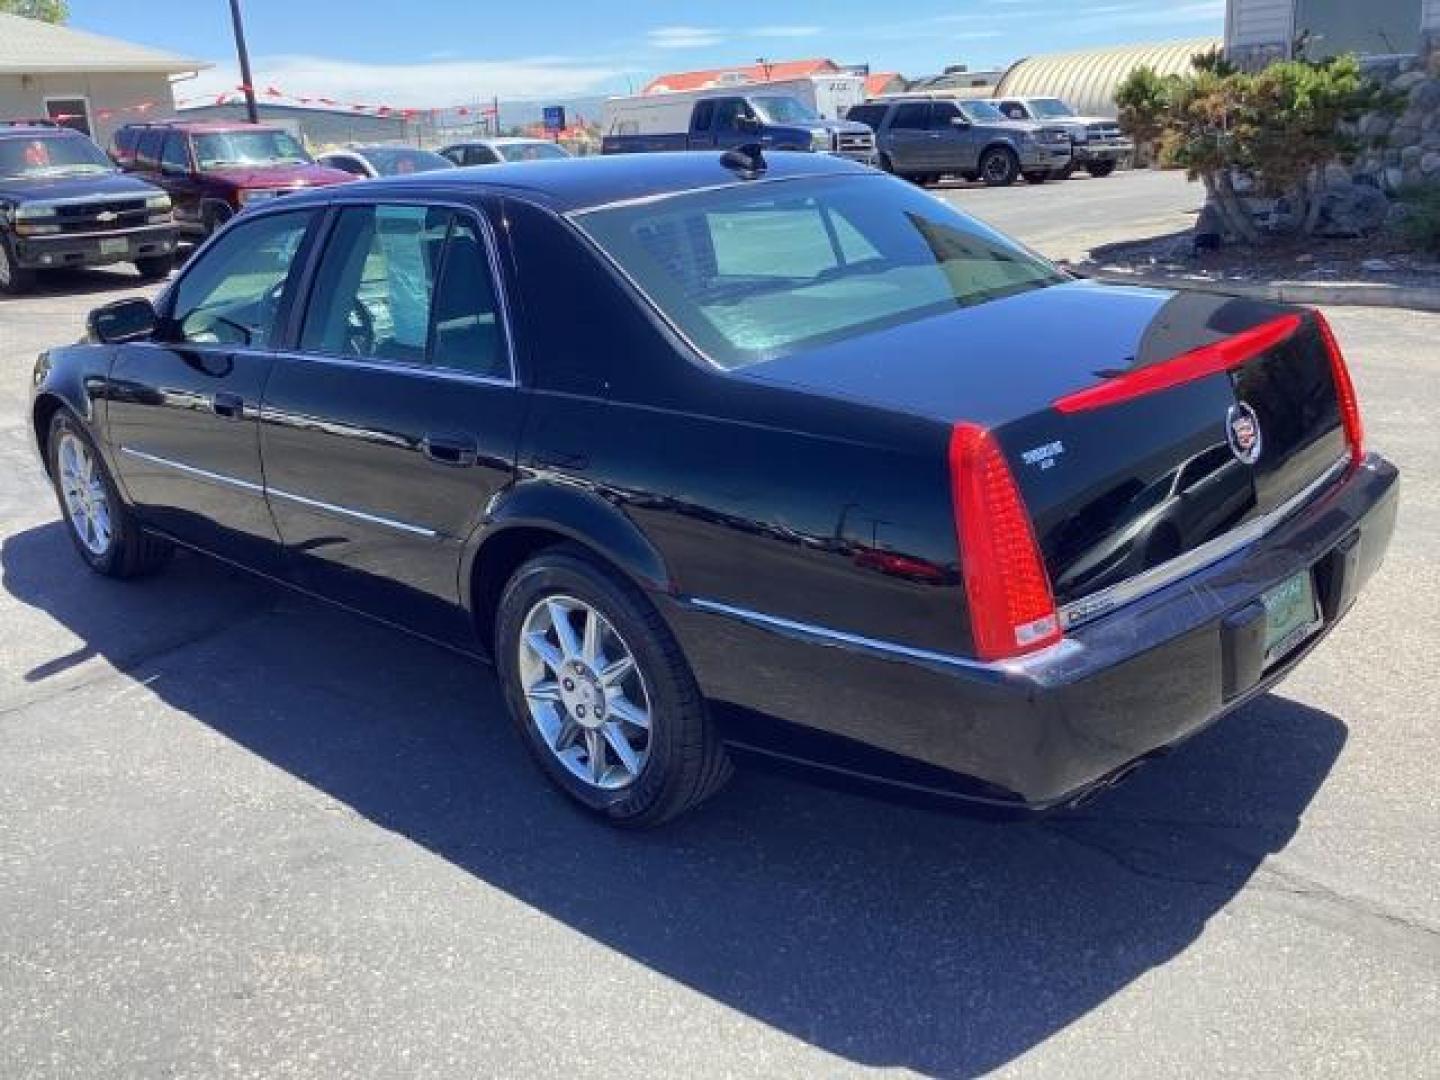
[[585, 693]]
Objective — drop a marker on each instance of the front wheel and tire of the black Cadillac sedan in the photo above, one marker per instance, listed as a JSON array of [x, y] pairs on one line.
[[100, 525]]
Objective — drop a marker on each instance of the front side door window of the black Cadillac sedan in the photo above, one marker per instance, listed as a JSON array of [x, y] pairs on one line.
[[233, 294]]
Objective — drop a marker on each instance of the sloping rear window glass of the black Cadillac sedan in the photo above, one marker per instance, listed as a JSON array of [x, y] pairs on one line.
[[754, 273]]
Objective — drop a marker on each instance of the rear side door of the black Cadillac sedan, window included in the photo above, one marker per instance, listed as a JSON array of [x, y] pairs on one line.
[[392, 424]]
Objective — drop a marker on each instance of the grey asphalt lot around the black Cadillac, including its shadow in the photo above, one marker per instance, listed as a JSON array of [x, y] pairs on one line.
[[243, 834]]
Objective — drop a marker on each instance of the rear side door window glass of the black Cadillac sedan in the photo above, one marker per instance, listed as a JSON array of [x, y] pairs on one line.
[[407, 284]]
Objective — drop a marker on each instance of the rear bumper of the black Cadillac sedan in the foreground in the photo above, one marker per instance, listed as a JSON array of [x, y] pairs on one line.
[[1045, 731]]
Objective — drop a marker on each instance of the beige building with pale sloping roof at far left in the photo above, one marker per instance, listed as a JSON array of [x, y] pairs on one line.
[[90, 83]]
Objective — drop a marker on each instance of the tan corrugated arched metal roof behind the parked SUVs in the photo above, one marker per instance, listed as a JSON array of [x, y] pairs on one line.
[[1088, 78]]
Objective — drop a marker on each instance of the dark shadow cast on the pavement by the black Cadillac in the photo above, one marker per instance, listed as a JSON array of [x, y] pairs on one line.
[[878, 932]]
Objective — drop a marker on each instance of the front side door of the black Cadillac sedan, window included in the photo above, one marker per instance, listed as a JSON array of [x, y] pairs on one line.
[[184, 408]]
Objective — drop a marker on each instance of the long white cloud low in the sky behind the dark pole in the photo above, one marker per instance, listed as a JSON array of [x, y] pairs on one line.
[[411, 86]]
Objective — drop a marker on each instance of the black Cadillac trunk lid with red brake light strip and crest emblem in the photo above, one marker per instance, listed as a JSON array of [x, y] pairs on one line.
[[1115, 487]]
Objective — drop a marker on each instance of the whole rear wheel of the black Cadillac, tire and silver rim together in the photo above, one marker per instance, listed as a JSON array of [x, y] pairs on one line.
[[675, 760]]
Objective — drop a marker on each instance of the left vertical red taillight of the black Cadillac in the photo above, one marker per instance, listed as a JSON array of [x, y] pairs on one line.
[[1013, 610]]
